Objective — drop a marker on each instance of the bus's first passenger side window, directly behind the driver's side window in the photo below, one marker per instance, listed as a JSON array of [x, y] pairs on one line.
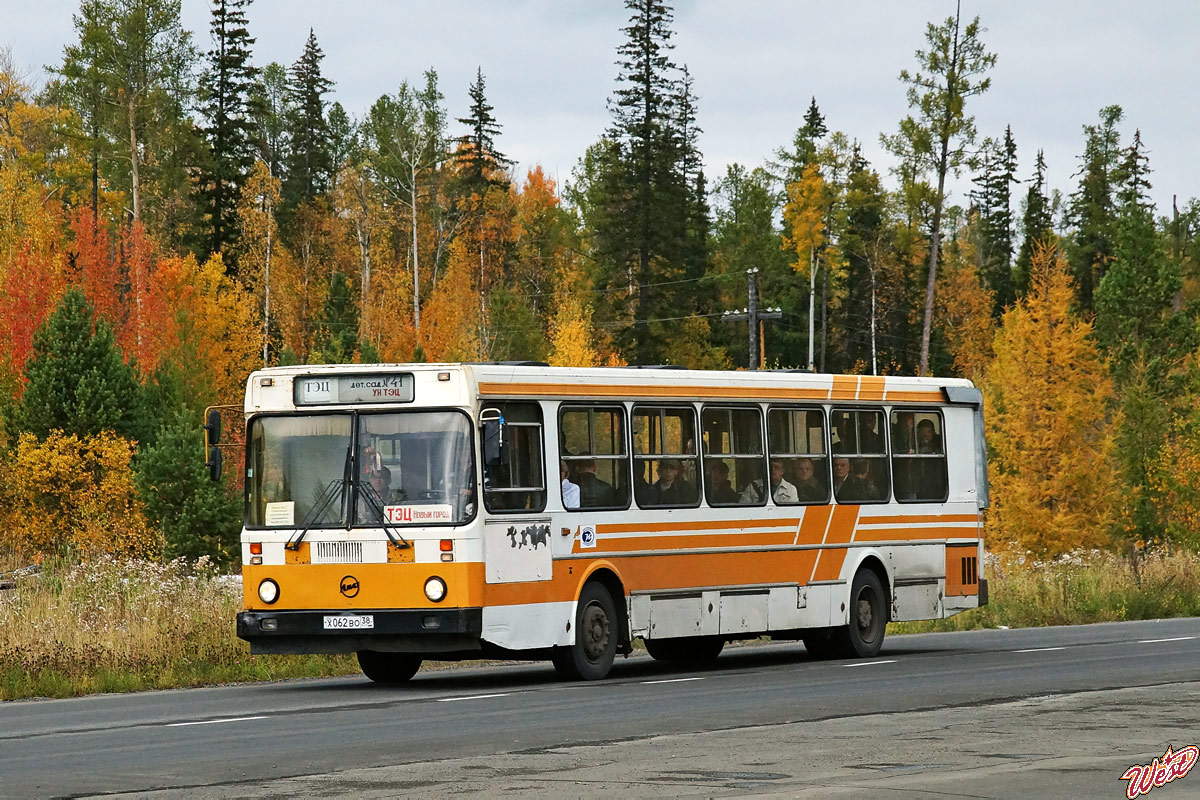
[[592, 446]]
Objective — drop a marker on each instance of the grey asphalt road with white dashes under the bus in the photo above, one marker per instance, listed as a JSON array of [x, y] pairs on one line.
[[1040, 712]]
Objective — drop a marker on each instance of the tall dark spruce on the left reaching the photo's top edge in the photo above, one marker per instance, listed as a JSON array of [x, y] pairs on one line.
[[226, 97]]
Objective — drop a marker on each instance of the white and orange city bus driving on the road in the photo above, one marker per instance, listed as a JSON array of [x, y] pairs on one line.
[[513, 510]]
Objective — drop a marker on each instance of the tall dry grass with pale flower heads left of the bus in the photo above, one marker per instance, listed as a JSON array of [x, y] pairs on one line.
[[113, 625]]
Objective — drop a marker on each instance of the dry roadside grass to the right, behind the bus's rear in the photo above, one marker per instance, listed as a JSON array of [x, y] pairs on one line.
[[1082, 588]]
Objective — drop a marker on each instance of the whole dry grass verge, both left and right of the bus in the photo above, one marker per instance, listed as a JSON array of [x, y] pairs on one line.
[[122, 627]]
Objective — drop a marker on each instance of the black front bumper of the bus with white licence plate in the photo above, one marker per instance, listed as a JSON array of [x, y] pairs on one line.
[[406, 630]]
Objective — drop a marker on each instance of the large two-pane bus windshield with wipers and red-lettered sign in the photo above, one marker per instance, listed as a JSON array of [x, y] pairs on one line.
[[410, 468]]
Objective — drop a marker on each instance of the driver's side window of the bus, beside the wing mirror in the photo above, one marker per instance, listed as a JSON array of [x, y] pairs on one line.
[[518, 484]]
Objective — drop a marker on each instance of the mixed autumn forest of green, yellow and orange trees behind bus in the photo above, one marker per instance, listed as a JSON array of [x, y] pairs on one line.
[[175, 215]]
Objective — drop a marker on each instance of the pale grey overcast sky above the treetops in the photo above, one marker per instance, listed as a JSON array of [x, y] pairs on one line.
[[550, 69]]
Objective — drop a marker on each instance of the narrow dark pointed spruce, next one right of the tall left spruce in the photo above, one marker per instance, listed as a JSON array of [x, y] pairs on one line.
[[310, 164]]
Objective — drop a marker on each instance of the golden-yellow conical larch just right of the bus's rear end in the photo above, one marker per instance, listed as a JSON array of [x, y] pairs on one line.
[[1049, 419]]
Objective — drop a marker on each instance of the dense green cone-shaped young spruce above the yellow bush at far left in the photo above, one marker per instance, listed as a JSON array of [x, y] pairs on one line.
[[77, 381]]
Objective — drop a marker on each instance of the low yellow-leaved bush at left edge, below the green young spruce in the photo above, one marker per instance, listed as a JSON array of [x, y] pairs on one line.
[[74, 495]]
